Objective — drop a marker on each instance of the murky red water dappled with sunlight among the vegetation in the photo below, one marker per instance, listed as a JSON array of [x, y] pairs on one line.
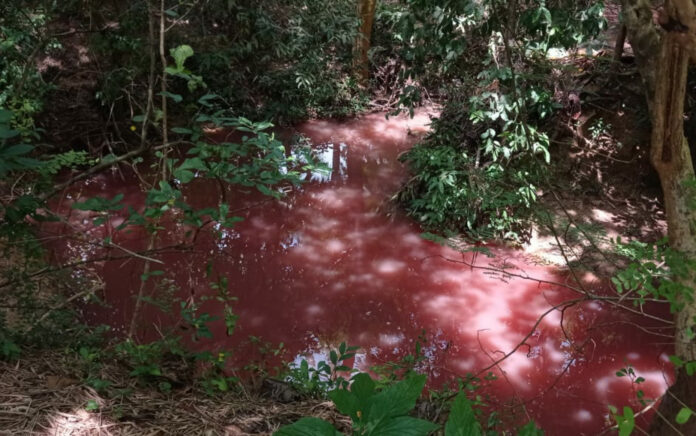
[[334, 261]]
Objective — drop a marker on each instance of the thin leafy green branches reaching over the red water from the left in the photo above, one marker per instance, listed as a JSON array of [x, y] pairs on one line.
[[258, 161]]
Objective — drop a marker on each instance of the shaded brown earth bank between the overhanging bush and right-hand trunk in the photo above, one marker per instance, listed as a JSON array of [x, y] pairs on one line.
[[603, 186]]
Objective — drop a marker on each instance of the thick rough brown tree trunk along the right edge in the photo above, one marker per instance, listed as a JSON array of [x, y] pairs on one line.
[[671, 158]]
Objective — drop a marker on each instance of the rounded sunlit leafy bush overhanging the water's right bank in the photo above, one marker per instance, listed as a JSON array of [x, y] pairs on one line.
[[452, 191]]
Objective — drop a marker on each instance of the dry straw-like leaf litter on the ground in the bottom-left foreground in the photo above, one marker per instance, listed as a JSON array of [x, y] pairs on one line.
[[43, 393]]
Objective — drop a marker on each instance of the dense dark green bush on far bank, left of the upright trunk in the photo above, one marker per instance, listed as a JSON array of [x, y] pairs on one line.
[[297, 58]]
